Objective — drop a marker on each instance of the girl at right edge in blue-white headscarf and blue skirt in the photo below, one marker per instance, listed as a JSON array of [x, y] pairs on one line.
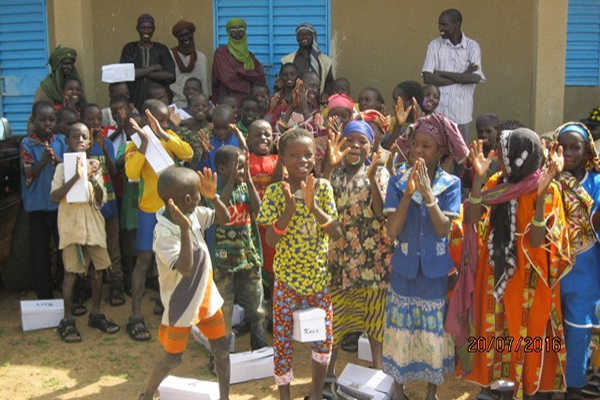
[[579, 184]]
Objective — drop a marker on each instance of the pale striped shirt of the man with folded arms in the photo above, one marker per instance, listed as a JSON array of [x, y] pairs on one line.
[[456, 101]]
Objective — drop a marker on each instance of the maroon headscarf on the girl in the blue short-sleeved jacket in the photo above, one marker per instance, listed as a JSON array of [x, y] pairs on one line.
[[445, 133]]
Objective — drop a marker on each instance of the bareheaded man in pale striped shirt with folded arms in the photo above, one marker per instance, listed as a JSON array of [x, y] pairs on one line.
[[453, 63]]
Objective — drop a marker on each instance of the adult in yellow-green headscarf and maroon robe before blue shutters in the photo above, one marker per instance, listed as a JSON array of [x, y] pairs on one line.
[[235, 68]]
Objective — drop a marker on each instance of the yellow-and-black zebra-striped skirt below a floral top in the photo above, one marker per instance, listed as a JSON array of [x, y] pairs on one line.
[[358, 310]]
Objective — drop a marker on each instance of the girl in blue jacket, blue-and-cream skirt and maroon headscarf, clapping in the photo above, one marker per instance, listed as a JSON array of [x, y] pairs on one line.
[[420, 206]]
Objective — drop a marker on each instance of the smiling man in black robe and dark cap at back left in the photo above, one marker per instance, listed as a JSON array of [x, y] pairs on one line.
[[152, 61]]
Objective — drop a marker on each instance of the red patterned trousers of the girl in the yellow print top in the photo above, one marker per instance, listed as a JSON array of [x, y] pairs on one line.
[[285, 301]]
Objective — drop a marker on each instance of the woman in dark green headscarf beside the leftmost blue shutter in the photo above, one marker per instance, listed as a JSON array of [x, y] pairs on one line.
[[62, 63]]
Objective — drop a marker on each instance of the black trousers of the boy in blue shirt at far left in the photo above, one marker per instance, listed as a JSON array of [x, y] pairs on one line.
[[42, 227]]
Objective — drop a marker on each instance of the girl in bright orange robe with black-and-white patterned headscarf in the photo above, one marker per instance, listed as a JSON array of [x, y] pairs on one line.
[[505, 310]]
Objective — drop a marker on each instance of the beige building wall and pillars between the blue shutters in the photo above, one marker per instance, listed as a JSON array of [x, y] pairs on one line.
[[373, 43]]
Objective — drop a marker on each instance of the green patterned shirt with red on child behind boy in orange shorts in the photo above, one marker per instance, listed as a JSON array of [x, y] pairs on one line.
[[237, 244]]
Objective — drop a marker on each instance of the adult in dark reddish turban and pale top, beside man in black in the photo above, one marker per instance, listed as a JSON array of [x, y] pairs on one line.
[[189, 62]]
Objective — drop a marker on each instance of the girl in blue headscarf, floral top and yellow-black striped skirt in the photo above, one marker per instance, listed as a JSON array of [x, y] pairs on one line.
[[359, 260]]
